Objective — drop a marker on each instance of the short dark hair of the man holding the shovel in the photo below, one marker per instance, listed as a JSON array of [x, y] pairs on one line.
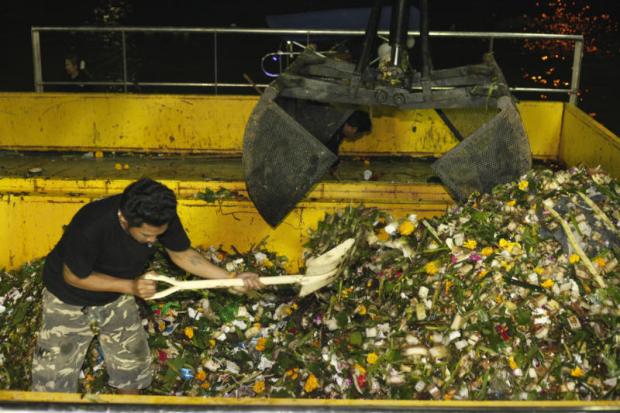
[[148, 201]]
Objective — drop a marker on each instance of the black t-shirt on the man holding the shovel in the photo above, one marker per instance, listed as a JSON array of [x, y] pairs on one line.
[[94, 241]]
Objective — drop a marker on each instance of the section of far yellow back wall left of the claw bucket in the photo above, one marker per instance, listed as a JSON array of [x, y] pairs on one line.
[[123, 122]]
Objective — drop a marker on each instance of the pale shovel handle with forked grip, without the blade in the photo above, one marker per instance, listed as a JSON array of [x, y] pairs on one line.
[[215, 283]]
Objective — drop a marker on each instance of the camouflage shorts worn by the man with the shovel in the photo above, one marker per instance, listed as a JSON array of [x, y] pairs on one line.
[[66, 333]]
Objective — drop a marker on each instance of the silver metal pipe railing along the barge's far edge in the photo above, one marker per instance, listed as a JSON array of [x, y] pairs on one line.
[[39, 83]]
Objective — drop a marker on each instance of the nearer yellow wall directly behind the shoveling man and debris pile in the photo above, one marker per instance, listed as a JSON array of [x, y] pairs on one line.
[[33, 212]]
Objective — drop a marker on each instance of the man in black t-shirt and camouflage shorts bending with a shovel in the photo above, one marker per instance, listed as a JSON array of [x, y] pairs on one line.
[[91, 277]]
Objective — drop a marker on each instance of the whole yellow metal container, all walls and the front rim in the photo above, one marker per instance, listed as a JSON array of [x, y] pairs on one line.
[[34, 209]]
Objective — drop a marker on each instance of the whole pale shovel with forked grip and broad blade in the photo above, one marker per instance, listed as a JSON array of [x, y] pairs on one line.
[[321, 271]]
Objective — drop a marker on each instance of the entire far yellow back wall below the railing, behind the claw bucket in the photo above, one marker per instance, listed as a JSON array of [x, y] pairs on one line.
[[215, 124]]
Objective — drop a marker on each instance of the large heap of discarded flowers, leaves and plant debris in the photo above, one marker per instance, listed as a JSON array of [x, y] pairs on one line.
[[512, 295]]
